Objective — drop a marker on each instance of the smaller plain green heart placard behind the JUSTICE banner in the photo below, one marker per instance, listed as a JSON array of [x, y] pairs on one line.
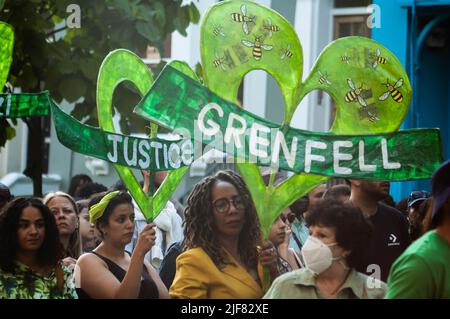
[[121, 65]]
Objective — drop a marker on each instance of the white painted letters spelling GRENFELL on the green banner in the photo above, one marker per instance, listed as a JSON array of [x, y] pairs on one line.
[[267, 144]]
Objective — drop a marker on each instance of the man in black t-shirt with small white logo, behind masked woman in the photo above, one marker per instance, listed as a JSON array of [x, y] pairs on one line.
[[390, 227]]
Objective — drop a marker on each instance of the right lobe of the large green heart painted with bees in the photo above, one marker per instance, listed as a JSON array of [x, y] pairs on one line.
[[360, 62]]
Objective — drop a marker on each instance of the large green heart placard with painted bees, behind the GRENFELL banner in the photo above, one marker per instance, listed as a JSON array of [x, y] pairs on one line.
[[240, 36]]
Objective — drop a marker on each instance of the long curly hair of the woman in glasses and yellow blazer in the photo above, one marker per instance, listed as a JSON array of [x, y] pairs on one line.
[[199, 230]]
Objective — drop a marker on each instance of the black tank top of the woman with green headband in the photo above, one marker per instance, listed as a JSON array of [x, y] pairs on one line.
[[148, 290]]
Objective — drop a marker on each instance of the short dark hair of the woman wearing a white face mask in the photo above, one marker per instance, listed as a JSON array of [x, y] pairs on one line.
[[353, 230]]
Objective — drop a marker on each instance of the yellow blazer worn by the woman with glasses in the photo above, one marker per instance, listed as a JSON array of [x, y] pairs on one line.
[[197, 277]]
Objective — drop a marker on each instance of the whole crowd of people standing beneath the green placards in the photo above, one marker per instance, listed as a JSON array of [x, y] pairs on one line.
[[346, 241]]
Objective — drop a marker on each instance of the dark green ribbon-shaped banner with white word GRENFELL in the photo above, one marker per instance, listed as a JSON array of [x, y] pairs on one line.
[[178, 102]]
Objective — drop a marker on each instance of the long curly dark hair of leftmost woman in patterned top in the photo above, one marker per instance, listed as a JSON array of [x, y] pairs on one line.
[[51, 250]]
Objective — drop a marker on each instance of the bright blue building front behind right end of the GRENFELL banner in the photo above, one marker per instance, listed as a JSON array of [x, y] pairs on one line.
[[432, 80]]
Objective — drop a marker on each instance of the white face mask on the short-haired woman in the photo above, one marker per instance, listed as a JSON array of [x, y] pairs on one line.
[[317, 255]]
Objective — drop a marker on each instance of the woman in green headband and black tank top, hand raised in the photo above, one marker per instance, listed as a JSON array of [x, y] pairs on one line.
[[109, 272]]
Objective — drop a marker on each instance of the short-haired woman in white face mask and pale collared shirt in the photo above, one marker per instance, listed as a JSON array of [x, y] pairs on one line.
[[339, 237]]
